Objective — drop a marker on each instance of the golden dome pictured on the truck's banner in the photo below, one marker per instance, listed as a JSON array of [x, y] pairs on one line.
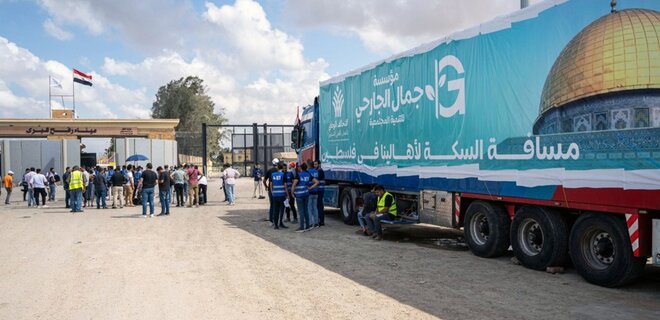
[[617, 52]]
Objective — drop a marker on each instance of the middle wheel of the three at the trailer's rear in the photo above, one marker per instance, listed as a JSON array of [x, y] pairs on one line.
[[539, 237]]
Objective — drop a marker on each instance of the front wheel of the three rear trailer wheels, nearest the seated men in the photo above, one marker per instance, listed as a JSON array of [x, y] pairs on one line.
[[486, 229]]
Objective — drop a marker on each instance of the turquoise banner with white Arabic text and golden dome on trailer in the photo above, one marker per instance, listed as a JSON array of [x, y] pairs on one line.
[[560, 93]]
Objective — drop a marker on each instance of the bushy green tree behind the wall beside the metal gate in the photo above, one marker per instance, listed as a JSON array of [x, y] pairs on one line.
[[186, 99]]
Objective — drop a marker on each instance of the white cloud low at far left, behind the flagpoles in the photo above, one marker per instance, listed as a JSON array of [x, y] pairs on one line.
[[30, 78]]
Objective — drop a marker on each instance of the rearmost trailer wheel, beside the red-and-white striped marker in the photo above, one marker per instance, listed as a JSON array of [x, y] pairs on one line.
[[601, 251]]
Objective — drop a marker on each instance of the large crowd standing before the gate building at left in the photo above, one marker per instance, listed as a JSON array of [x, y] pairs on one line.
[[126, 186]]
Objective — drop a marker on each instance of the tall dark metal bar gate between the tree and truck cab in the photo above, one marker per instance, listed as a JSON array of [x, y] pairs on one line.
[[248, 145]]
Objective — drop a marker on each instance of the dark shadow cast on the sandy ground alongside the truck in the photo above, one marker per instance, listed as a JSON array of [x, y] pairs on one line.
[[425, 267]]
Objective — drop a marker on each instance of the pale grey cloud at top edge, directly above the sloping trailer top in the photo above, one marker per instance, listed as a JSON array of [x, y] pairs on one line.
[[394, 26]]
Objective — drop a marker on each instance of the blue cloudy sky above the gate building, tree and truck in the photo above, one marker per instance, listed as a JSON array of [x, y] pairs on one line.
[[258, 59]]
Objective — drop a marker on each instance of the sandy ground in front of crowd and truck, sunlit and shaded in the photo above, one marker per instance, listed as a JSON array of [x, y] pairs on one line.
[[222, 262]]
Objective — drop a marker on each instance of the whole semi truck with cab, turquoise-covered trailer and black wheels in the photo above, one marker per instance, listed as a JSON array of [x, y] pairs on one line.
[[537, 132]]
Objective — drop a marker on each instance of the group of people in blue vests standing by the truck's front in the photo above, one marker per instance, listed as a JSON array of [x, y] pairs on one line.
[[297, 190]]
